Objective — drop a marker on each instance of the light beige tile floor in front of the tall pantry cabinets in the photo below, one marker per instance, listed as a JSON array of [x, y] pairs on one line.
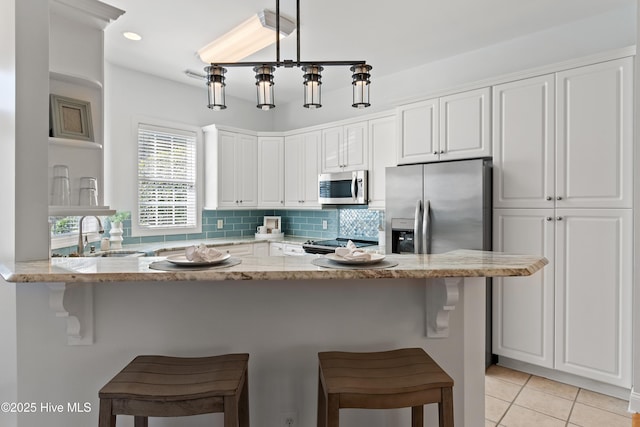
[[516, 399]]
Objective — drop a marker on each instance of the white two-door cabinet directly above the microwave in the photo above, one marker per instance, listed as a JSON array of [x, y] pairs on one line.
[[344, 148]]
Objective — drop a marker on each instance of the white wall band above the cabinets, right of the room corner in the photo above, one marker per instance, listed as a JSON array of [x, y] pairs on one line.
[[593, 35]]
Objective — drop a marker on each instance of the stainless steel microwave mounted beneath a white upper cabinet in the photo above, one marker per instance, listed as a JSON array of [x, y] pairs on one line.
[[343, 188]]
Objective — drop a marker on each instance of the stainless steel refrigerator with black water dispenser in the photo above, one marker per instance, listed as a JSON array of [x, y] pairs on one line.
[[440, 207]]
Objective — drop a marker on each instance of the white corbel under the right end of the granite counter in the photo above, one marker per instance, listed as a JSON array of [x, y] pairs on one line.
[[442, 295]]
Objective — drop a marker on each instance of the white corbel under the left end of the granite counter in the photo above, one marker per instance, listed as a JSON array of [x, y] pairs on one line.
[[75, 302]]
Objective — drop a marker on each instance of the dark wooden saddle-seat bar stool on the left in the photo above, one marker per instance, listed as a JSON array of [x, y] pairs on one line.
[[161, 386]]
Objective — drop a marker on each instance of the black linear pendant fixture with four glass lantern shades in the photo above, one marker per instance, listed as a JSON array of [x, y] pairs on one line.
[[265, 75]]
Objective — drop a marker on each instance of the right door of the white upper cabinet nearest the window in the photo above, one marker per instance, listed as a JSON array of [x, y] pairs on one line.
[[246, 164]]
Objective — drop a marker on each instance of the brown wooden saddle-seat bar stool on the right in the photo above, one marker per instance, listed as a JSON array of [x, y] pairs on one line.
[[382, 380]]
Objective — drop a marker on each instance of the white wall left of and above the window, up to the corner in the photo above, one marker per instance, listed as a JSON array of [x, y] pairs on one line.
[[130, 94]]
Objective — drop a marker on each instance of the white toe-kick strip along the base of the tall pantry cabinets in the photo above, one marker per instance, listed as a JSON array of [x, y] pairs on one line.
[[574, 380]]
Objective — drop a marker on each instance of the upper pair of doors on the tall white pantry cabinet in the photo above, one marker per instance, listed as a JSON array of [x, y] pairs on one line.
[[565, 139]]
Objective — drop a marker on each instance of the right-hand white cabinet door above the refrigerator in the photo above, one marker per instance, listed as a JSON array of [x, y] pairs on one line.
[[465, 125]]
